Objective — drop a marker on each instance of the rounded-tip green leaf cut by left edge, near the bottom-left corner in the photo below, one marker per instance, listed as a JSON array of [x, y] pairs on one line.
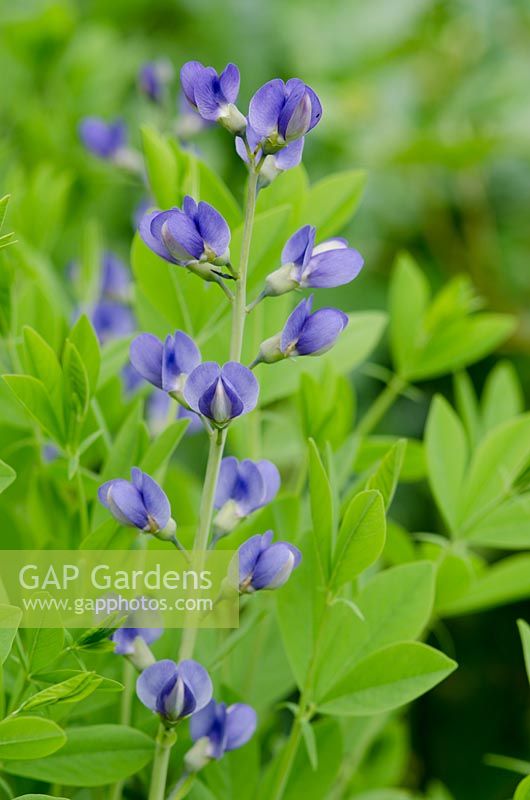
[[29, 738]]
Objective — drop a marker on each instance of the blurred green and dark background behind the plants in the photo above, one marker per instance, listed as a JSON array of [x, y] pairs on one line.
[[431, 98]]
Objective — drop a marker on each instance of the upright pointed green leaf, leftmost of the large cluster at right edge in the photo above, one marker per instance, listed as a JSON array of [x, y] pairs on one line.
[[447, 454]]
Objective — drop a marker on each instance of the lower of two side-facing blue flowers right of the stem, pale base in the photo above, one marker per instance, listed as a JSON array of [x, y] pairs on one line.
[[304, 333]]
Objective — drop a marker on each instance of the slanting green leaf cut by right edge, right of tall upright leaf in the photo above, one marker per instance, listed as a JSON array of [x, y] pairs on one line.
[[496, 464]]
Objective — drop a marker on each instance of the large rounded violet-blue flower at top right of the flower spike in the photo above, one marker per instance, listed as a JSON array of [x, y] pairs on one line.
[[280, 113]]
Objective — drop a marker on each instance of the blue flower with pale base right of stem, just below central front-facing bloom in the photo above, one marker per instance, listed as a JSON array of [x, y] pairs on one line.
[[243, 487]]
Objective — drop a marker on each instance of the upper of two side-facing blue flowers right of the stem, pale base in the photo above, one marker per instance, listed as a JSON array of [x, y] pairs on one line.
[[306, 265]]
